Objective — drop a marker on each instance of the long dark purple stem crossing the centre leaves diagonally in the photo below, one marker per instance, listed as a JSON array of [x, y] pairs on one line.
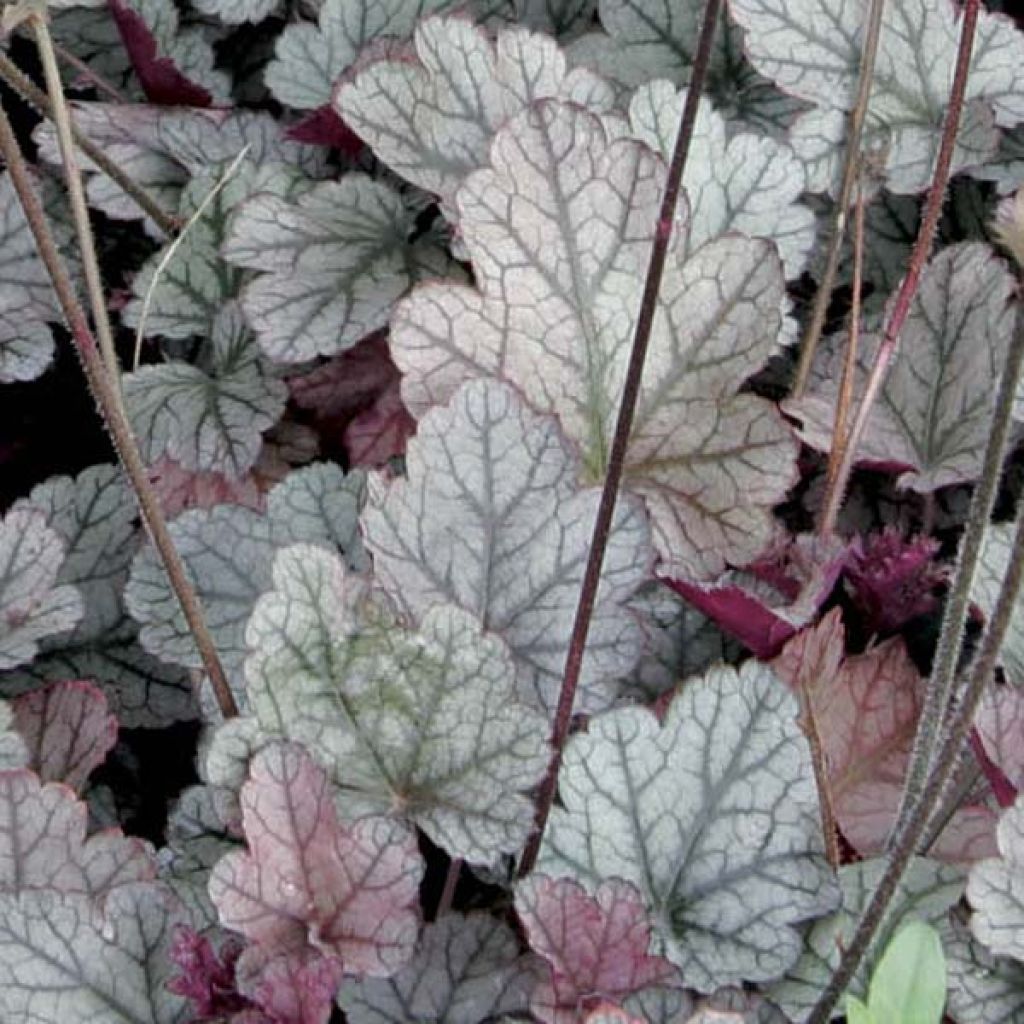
[[624, 424]]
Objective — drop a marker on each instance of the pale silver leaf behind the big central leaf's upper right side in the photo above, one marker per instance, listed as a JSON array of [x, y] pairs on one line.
[[744, 183]]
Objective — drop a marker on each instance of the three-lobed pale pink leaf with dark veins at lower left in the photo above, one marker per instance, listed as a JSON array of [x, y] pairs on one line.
[[308, 882]]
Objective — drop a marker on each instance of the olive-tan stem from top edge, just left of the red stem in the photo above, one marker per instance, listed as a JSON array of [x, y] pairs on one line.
[[851, 162]]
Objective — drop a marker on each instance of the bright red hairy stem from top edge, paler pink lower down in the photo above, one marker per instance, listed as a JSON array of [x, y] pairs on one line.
[[922, 247]]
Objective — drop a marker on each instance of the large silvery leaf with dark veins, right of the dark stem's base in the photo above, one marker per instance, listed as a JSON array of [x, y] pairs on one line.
[[712, 816]]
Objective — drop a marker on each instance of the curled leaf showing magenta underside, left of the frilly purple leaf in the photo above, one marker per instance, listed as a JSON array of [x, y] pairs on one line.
[[764, 606]]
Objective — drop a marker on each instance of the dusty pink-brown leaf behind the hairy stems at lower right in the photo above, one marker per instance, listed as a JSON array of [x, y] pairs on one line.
[[867, 710]]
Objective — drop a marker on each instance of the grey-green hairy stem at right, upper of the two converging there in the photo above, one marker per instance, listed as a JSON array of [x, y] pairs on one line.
[[941, 686]]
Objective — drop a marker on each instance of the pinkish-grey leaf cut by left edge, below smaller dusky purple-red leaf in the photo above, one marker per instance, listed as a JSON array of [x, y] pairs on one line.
[[44, 843]]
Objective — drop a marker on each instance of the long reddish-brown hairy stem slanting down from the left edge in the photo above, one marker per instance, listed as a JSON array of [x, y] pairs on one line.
[[113, 412]]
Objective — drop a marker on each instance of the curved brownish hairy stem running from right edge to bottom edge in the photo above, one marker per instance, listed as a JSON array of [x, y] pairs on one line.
[[947, 763]]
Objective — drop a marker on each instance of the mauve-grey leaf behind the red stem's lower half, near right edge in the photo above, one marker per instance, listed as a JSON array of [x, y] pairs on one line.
[[932, 415]]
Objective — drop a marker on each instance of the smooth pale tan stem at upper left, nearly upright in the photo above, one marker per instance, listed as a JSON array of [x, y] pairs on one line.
[[79, 208]]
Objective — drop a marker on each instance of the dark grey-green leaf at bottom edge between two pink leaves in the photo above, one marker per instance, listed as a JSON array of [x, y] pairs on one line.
[[465, 970]]
